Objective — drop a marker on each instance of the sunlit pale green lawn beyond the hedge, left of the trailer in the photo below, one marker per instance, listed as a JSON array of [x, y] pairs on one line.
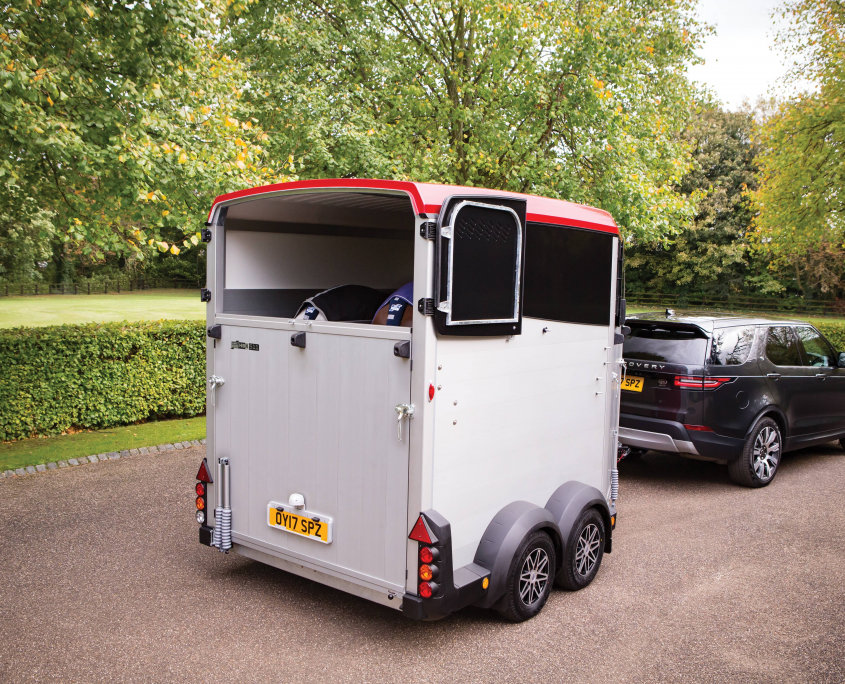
[[147, 305]]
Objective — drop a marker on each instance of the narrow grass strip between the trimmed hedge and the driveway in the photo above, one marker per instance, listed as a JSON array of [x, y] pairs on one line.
[[61, 448]]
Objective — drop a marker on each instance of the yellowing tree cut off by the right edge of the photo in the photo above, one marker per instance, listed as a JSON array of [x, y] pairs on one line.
[[801, 221]]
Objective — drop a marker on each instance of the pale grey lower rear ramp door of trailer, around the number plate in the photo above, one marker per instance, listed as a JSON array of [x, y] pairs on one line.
[[319, 422]]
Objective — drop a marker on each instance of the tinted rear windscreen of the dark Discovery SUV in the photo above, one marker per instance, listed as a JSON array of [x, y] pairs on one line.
[[687, 346]]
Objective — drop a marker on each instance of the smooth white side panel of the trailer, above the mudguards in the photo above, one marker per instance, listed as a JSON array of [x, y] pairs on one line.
[[516, 417]]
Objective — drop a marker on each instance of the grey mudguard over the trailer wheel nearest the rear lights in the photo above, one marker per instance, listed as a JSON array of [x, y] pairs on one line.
[[502, 538]]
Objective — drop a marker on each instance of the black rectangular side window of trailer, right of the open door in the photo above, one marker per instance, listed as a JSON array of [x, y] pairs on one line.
[[567, 274]]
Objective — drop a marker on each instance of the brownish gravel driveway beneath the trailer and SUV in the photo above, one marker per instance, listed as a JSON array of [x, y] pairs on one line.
[[103, 580]]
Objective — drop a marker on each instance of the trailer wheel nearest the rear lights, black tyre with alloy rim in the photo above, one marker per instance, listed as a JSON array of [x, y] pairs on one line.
[[529, 581]]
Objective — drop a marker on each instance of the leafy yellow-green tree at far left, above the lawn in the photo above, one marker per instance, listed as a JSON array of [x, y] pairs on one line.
[[120, 120]]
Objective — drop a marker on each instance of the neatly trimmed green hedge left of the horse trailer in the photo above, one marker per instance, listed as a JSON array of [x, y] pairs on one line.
[[58, 378]]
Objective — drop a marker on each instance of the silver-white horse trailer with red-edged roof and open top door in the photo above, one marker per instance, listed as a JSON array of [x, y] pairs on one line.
[[413, 390]]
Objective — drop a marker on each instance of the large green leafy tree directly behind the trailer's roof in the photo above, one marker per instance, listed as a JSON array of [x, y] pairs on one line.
[[578, 100]]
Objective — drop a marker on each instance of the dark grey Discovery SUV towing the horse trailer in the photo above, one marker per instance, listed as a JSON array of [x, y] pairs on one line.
[[739, 391]]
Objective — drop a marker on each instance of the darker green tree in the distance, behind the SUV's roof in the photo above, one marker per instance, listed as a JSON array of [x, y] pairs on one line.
[[712, 256]]
